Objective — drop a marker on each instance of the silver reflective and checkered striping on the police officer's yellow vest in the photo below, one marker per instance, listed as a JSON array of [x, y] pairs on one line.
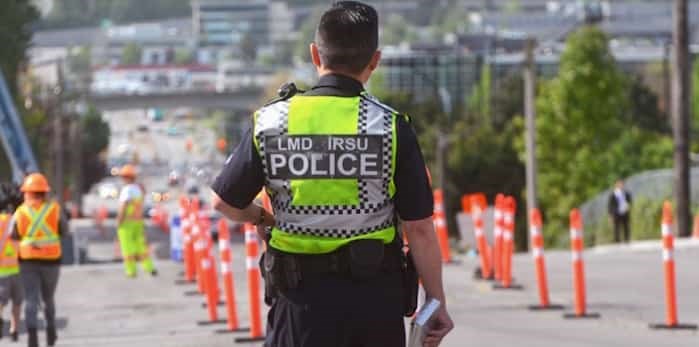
[[375, 201]]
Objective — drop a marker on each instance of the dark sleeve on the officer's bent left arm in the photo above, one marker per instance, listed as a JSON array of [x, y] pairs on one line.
[[242, 176]]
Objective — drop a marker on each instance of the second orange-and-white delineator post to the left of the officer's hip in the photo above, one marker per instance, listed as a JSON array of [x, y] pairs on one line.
[[224, 246]]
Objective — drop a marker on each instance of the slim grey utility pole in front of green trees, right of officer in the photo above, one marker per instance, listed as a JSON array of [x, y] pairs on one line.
[[530, 120]]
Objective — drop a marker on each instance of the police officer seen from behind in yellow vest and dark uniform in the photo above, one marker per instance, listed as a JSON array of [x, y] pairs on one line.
[[340, 168]]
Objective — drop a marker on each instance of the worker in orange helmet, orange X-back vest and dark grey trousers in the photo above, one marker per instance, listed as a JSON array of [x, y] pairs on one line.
[[39, 224]]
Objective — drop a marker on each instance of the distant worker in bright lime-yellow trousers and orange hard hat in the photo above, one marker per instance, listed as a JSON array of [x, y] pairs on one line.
[[131, 226]]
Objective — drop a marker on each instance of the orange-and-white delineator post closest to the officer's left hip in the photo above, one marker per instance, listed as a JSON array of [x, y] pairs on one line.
[[253, 269]]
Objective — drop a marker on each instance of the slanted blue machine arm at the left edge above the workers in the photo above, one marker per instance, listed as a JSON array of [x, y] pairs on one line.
[[14, 139]]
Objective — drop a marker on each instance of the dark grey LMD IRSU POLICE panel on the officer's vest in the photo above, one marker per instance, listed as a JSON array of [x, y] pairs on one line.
[[324, 156]]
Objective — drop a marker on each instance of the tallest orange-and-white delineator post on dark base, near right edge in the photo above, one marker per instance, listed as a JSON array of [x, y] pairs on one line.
[[669, 263]]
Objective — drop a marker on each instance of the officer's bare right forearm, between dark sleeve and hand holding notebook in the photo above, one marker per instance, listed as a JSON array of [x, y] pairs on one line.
[[426, 255]]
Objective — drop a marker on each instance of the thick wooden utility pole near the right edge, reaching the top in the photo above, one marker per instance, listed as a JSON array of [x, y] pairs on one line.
[[680, 114]]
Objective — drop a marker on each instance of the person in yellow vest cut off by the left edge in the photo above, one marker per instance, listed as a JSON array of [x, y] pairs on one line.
[[10, 282]]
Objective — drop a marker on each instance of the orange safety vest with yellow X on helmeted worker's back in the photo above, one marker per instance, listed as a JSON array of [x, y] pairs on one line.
[[38, 230]]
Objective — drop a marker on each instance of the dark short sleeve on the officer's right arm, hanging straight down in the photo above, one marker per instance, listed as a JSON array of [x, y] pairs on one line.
[[413, 199]]
